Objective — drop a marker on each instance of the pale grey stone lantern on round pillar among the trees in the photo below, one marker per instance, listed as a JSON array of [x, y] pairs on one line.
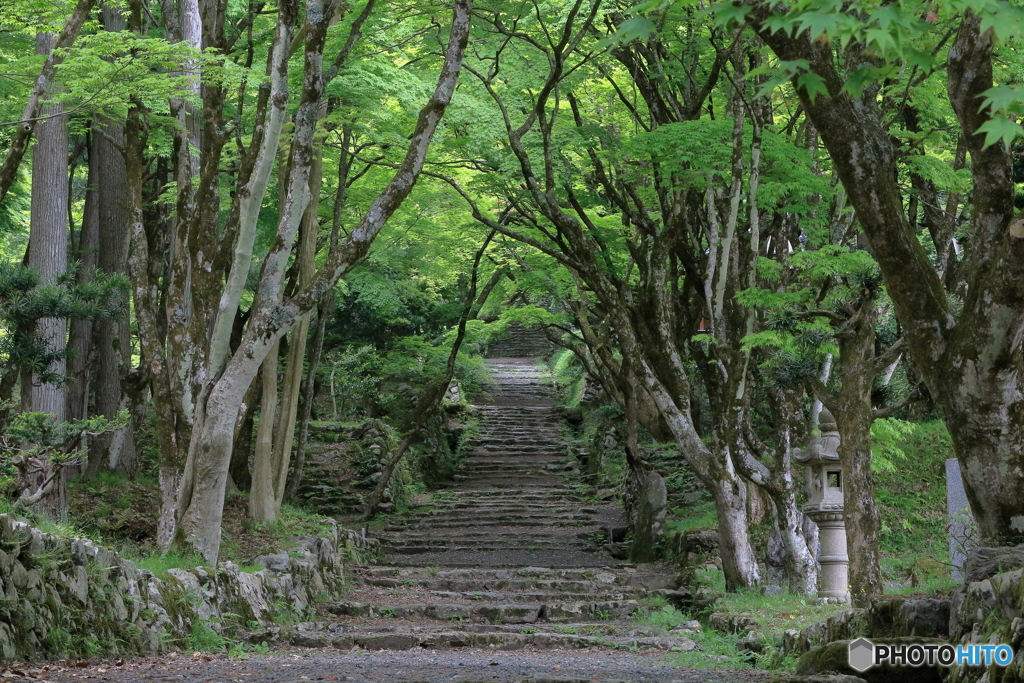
[[825, 506]]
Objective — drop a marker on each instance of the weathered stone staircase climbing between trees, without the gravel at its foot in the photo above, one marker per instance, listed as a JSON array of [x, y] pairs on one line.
[[510, 557]]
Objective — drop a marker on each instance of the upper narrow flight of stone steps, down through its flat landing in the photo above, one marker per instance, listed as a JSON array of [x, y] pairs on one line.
[[513, 506]]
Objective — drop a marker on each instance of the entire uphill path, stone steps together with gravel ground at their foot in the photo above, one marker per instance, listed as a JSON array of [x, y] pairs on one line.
[[504, 579]]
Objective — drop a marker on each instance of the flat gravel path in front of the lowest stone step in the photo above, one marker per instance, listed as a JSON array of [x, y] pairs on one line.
[[381, 667]]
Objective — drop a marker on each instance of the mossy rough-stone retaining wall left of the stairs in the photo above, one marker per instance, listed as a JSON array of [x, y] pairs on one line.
[[62, 597]]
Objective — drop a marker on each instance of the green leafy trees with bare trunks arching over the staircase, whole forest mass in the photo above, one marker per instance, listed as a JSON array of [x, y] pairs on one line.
[[224, 223]]
